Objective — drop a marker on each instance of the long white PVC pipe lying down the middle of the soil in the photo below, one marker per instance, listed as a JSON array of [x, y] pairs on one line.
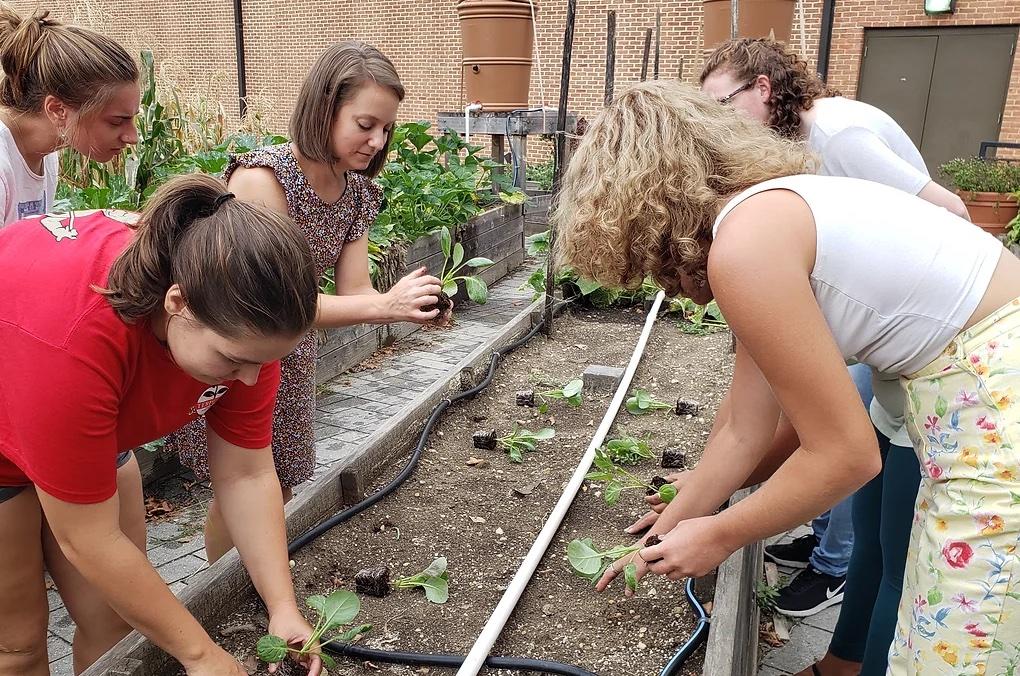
[[484, 645]]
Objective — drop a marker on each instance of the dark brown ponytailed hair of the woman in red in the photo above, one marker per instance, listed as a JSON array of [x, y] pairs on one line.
[[244, 270]]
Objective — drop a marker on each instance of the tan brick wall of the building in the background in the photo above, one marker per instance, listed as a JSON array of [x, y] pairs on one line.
[[194, 40]]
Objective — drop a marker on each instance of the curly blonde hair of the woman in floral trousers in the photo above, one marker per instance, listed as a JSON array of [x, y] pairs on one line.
[[649, 179]]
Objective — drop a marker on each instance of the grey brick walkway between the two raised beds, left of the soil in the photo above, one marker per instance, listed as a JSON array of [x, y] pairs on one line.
[[350, 407]]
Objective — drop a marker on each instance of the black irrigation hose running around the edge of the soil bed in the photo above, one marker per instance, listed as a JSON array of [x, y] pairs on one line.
[[453, 661]]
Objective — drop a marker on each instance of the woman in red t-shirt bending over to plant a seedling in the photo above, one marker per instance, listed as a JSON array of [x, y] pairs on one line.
[[118, 330]]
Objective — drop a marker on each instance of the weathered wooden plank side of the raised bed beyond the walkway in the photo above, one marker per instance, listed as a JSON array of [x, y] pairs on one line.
[[496, 235]]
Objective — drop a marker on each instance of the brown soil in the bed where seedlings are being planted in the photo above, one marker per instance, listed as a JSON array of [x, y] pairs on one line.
[[483, 512]]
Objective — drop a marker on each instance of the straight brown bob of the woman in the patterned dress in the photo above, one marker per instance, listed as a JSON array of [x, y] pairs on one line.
[[334, 80]]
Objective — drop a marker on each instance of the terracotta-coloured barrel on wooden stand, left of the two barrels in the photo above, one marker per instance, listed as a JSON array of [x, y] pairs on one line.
[[498, 38]]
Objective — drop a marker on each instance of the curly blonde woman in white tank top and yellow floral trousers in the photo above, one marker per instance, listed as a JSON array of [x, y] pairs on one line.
[[812, 272]]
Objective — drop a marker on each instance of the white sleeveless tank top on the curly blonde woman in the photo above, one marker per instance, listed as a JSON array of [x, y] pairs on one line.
[[896, 278]]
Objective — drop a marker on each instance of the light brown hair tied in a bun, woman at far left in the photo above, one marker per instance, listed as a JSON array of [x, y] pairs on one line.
[[43, 58]]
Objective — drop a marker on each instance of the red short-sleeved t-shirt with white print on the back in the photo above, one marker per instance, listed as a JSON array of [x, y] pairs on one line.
[[78, 385]]
